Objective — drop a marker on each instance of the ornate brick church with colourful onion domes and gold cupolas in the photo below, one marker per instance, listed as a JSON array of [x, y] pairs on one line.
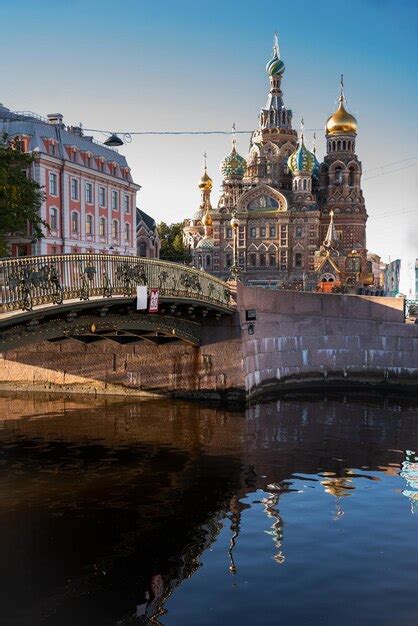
[[300, 223]]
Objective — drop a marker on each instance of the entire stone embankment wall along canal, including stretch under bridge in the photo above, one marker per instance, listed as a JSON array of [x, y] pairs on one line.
[[301, 340]]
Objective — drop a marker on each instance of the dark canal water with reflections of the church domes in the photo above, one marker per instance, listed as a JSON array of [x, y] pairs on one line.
[[300, 511]]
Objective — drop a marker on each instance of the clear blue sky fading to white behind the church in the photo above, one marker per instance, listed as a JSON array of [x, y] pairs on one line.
[[171, 65]]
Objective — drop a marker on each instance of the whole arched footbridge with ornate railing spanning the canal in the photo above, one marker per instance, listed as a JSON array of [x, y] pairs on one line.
[[91, 297]]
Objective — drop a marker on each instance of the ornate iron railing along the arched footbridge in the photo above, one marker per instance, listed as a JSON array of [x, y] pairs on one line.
[[26, 282]]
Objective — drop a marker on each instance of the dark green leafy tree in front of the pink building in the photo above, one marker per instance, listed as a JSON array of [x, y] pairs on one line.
[[20, 197]]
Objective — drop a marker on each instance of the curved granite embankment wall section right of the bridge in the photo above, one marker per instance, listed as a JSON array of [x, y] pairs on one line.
[[306, 339]]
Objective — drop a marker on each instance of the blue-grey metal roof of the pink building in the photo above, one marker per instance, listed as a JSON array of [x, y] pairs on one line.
[[38, 129]]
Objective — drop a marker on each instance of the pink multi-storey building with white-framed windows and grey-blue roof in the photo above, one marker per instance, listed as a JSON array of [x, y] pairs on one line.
[[90, 202]]
